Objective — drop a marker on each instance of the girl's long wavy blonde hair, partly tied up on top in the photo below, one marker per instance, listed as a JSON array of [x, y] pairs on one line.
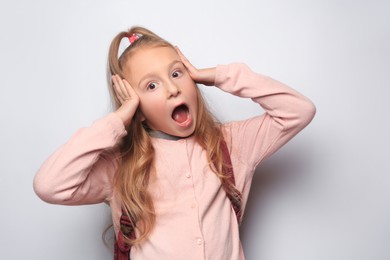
[[137, 153]]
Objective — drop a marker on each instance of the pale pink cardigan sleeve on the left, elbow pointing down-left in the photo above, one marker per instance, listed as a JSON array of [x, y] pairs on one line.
[[81, 171]]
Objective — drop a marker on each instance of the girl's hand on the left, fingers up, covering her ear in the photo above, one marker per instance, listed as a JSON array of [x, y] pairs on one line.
[[127, 97]]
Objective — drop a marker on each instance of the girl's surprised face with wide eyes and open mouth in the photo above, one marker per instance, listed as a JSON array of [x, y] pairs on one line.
[[168, 96]]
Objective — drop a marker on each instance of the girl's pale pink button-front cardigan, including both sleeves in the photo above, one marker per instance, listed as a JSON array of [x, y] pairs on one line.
[[195, 219]]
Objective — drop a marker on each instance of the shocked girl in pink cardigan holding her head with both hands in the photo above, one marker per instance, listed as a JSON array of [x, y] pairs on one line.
[[177, 181]]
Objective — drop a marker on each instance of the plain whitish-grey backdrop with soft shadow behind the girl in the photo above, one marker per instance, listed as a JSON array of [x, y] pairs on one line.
[[325, 195]]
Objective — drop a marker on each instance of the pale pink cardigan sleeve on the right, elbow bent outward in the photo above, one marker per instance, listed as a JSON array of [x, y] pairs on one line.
[[286, 113]]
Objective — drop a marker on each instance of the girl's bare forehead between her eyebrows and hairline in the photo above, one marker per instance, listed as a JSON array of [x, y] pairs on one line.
[[146, 60]]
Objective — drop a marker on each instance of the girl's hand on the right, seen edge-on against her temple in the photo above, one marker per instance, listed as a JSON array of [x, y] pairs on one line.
[[202, 76]]
